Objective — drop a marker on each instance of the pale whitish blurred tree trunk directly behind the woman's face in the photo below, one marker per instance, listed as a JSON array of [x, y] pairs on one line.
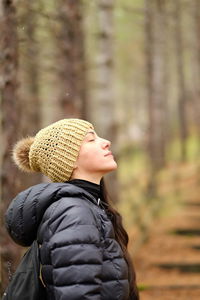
[[103, 98]]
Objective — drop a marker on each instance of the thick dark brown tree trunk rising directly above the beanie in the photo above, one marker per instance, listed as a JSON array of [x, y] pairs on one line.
[[71, 60]]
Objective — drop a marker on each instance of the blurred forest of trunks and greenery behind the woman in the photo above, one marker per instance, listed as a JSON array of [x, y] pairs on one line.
[[132, 68]]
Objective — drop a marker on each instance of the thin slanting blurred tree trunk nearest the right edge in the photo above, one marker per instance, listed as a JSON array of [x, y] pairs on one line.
[[182, 91]]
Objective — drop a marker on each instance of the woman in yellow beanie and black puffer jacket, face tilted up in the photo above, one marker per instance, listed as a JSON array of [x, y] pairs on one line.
[[83, 246]]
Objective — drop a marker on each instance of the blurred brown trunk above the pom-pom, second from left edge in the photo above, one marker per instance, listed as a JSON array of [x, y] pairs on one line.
[[29, 66]]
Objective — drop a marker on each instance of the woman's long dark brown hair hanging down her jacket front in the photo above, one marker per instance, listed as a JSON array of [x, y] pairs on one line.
[[122, 238]]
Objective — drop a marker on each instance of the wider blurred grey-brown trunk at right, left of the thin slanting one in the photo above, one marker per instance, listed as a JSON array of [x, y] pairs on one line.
[[156, 62]]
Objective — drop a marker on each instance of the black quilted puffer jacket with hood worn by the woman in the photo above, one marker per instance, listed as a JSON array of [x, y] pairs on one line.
[[80, 256]]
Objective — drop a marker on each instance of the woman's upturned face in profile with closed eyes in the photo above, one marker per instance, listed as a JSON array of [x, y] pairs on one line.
[[95, 158]]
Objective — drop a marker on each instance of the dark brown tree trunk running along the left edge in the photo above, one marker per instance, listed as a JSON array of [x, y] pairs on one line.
[[9, 123]]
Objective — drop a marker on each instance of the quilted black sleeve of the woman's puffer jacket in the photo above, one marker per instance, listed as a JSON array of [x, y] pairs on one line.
[[76, 254]]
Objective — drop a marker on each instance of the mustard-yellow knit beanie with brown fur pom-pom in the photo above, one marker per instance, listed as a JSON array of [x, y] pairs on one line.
[[54, 149]]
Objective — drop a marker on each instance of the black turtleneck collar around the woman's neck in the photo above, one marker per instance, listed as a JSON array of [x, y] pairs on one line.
[[90, 187]]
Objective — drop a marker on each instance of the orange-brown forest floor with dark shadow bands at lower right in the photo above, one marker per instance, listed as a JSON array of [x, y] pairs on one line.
[[168, 264]]
